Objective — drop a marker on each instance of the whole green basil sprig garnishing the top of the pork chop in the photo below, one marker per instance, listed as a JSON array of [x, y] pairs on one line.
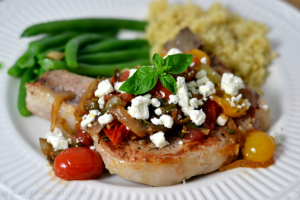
[[145, 78]]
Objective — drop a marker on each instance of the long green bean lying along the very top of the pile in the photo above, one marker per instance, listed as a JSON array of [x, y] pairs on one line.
[[84, 25]]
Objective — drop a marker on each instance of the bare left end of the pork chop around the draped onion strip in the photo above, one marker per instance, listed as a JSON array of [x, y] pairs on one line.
[[41, 93]]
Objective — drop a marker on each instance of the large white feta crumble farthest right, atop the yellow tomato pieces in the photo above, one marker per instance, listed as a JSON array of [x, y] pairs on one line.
[[231, 84]]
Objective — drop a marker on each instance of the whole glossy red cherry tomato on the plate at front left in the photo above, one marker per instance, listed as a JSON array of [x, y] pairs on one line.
[[78, 163]]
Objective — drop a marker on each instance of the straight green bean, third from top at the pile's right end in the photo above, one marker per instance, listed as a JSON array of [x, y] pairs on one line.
[[115, 57]]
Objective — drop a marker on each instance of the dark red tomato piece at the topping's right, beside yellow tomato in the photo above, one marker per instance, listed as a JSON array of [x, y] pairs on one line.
[[211, 110]]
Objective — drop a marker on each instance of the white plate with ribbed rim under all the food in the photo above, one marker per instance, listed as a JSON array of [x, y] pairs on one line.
[[24, 173]]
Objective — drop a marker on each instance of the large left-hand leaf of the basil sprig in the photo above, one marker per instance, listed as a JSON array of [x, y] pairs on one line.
[[143, 80]]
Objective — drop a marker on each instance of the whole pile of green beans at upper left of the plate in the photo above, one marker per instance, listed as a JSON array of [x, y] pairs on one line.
[[83, 46]]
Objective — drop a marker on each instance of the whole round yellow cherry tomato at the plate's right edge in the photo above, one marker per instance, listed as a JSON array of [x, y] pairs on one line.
[[259, 147]]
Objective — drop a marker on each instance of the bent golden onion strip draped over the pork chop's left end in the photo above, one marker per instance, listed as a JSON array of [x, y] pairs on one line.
[[59, 98]]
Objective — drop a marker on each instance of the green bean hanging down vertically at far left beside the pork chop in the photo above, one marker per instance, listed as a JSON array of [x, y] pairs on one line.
[[26, 77]]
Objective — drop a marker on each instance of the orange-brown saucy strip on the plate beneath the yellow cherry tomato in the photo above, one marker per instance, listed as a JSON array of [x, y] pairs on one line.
[[247, 163]]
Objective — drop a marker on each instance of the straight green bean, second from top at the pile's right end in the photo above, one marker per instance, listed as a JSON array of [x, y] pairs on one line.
[[114, 44]]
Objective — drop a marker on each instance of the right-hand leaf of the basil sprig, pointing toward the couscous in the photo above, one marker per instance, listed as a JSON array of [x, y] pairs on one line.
[[178, 62]]
